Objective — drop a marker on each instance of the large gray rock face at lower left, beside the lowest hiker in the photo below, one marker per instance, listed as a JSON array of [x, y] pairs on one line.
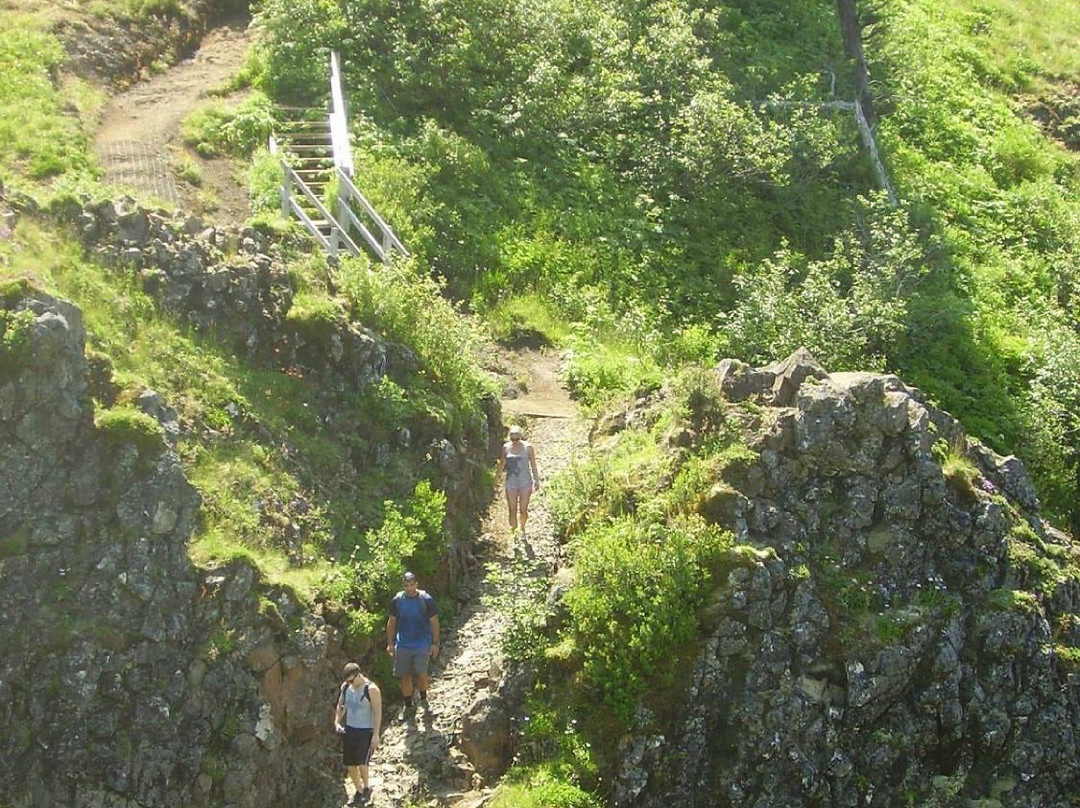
[[128, 678]]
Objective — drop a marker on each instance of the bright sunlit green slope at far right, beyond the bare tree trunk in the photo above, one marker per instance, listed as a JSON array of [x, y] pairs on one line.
[[992, 332]]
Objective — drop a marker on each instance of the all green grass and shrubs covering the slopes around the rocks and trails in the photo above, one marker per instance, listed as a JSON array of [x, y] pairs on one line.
[[652, 187]]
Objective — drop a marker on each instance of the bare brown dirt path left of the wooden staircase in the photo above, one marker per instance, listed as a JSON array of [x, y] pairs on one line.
[[139, 141]]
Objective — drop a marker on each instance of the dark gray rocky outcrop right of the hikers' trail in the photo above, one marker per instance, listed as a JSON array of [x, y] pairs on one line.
[[902, 634]]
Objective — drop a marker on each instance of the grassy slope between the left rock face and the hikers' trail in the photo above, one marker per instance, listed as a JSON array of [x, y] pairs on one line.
[[278, 486]]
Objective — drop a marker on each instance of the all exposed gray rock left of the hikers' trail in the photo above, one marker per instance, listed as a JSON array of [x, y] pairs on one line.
[[128, 676]]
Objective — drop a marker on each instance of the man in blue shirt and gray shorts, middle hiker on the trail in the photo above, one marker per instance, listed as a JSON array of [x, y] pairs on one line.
[[413, 639]]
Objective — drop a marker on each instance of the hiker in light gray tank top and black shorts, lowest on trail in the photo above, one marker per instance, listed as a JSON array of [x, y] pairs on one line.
[[358, 718]]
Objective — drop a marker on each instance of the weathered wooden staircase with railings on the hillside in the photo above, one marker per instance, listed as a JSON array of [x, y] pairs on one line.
[[318, 185]]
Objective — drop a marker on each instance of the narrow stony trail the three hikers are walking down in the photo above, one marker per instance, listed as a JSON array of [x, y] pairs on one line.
[[422, 759]]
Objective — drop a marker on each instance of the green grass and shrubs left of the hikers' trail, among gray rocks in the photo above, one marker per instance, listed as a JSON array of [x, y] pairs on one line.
[[329, 486]]
